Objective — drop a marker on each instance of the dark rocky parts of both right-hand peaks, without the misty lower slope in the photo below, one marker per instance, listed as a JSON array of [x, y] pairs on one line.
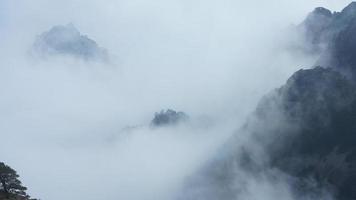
[[307, 127]]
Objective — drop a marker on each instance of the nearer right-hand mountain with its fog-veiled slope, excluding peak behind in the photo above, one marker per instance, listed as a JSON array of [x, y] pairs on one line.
[[306, 129]]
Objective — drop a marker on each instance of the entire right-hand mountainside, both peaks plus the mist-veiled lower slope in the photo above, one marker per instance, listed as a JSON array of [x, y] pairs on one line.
[[301, 137]]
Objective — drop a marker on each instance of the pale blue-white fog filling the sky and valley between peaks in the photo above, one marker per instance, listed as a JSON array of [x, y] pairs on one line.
[[63, 120]]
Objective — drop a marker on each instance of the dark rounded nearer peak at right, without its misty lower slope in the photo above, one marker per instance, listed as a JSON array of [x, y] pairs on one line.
[[314, 133]]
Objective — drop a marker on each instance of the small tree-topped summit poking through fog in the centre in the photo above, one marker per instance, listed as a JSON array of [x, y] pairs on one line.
[[168, 118]]
